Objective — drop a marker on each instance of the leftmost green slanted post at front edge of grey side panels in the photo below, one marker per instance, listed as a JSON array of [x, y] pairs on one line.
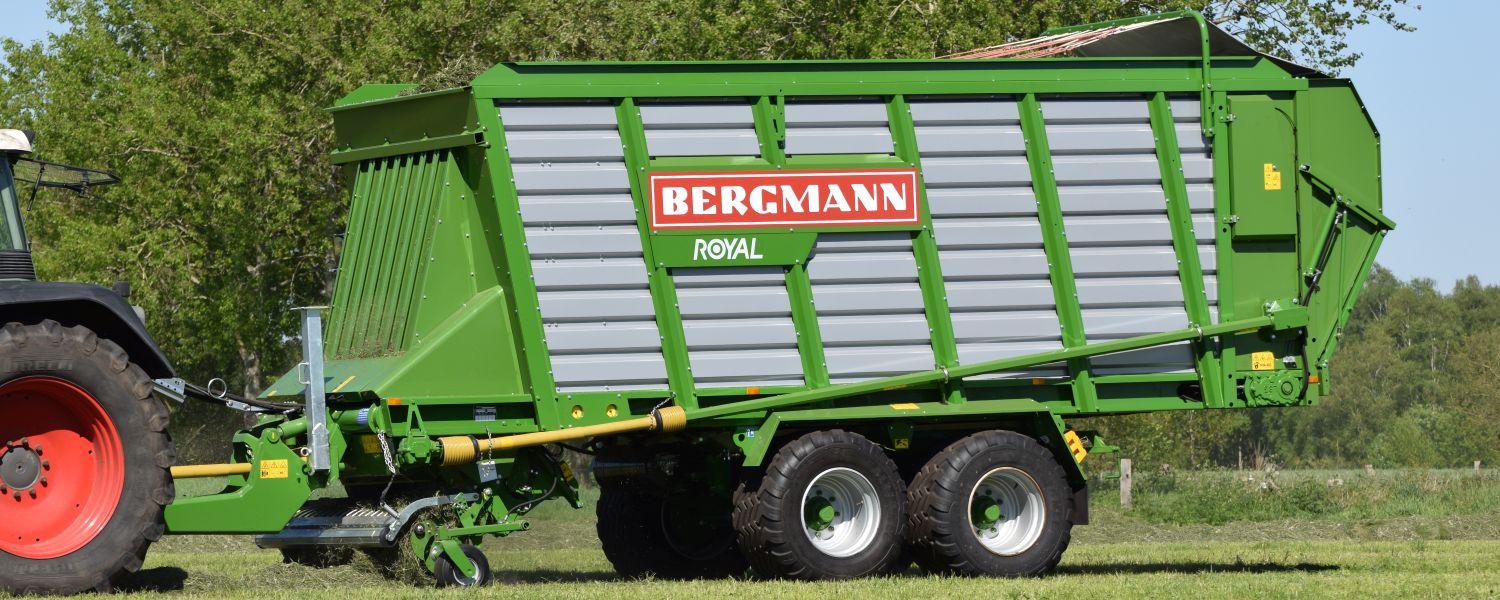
[[523, 287]]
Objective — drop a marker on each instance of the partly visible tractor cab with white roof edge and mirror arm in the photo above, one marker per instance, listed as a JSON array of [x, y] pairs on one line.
[[16, 251]]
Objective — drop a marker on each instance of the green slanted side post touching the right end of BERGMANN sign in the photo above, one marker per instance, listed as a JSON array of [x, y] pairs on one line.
[[925, 247]]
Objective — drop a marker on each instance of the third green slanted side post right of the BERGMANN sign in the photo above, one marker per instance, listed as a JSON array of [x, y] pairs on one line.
[[1186, 244]]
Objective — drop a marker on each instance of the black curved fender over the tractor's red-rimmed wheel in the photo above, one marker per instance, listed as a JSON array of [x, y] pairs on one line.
[[100, 310]]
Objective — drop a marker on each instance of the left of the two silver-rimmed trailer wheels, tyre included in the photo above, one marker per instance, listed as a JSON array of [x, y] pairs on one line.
[[830, 506]]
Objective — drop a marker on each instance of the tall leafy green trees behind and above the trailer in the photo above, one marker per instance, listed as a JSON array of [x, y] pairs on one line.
[[214, 113]]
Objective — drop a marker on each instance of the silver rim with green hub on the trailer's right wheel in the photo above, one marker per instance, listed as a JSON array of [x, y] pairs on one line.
[[1007, 511]]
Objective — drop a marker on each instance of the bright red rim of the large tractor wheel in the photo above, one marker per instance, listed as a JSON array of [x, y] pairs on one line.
[[62, 467]]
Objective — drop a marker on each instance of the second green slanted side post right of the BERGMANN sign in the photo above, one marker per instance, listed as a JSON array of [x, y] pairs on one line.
[[1055, 242]]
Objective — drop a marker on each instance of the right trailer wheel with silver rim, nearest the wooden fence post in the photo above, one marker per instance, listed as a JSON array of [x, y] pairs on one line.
[[995, 503]]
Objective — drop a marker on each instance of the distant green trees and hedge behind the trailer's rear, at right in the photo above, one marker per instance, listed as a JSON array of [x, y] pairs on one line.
[[1414, 386]]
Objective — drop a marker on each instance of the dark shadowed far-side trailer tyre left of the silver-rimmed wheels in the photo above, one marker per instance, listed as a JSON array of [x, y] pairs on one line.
[[644, 535]]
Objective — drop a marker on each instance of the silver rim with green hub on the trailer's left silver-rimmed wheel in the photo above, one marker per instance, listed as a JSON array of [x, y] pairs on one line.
[[841, 512]]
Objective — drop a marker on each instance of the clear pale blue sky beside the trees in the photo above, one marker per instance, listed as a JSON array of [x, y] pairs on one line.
[[1429, 92]]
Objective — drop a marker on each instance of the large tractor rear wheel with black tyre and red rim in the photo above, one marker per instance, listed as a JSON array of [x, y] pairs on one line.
[[88, 458]]
